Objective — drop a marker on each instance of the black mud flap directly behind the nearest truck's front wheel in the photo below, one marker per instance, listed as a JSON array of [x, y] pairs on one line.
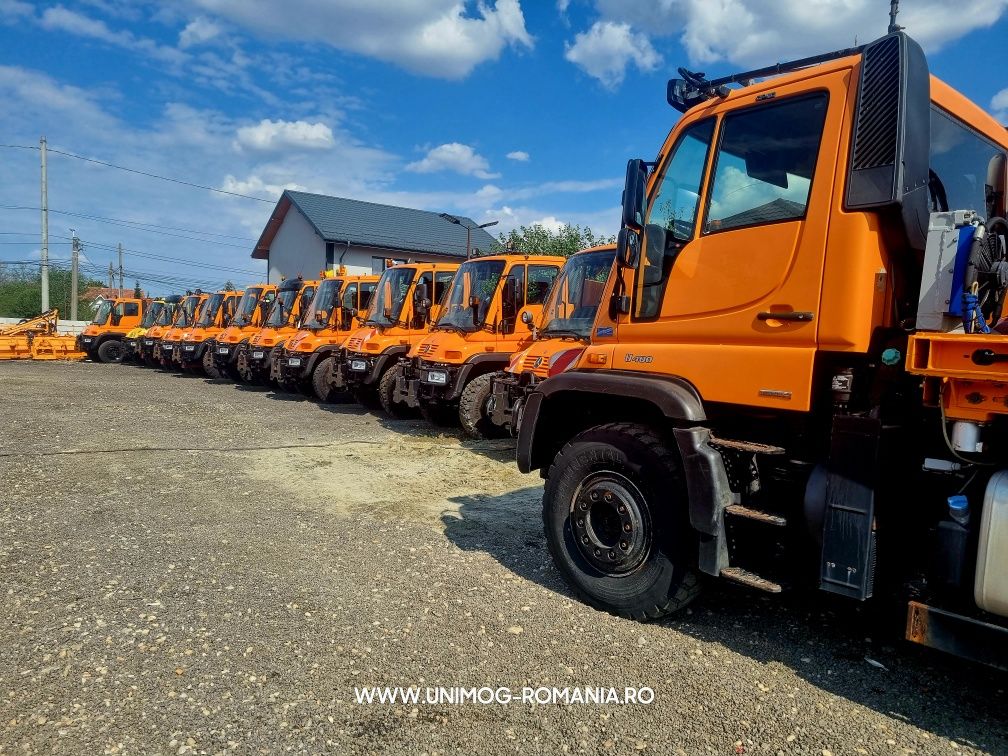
[[709, 492]]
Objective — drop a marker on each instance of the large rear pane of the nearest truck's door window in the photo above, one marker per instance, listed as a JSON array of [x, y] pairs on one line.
[[765, 170]]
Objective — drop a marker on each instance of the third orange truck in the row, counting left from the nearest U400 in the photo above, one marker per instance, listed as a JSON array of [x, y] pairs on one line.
[[408, 302]]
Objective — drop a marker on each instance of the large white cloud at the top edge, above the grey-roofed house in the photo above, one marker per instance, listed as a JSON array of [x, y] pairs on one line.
[[435, 38]]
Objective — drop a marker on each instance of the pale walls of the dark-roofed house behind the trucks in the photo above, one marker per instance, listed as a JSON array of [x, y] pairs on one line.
[[299, 250]]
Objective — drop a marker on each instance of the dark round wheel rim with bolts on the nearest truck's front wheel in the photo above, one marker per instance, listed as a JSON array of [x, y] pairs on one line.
[[611, 525]]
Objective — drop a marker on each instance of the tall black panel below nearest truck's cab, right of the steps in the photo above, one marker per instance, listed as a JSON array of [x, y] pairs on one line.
[[848, 565]]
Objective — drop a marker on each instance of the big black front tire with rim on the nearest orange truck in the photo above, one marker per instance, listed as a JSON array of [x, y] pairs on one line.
[[648, 572]]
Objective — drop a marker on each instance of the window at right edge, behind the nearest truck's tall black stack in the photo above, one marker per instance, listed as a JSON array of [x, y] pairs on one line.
[[960, 161]]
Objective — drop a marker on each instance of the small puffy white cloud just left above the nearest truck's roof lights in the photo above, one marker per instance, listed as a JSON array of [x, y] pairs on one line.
[[606, 50]]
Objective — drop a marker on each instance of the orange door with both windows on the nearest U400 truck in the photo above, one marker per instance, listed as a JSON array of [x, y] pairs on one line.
[[728, 286]]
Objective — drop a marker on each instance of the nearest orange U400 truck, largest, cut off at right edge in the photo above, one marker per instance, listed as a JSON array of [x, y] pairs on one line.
[[799, 371]]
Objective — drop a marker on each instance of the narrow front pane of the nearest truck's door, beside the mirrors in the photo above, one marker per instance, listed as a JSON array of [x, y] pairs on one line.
[[673, 217]]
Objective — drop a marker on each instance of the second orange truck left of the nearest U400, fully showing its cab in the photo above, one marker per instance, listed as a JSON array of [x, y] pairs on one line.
[[487, 317]]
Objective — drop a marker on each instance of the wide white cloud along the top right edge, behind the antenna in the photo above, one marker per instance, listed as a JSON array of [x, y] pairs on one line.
[[760, 33]]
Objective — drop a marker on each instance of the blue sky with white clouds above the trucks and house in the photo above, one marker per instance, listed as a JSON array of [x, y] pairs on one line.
[[518, 111]]
